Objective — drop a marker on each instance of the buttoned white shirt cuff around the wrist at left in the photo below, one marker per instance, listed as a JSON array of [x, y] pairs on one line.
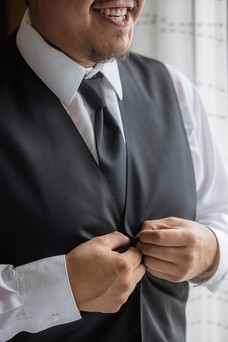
[[46, 294]]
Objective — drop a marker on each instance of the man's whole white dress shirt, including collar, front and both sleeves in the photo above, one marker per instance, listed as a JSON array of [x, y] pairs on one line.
[[37, 296]]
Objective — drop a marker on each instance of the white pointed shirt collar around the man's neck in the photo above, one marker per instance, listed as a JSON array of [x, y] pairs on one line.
[[58, 71]]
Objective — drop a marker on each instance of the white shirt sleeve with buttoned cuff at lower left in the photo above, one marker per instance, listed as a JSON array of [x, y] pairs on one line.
[[35, 297]]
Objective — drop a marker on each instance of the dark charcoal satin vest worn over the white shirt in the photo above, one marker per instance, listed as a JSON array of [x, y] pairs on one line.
[[53, 195]]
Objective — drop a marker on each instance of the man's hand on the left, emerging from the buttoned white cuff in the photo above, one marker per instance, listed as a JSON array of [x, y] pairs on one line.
[[101, 278]]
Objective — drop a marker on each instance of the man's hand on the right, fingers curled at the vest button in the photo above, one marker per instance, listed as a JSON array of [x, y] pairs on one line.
[[177, 250]]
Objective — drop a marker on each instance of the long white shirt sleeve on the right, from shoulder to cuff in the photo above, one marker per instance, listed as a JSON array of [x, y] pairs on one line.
[[211, 175]]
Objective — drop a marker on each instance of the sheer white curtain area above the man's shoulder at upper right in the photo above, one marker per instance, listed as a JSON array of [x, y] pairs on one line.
[[192, 36]]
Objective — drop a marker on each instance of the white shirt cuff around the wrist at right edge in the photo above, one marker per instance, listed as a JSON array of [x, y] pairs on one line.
[[215, 282]]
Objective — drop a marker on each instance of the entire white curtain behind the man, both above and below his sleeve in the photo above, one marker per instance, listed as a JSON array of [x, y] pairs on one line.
[[192, 36]]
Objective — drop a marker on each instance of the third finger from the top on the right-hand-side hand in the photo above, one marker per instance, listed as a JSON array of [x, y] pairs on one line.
[[171, 254]]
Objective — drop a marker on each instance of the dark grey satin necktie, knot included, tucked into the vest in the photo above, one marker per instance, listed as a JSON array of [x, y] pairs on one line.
[[109, 140]]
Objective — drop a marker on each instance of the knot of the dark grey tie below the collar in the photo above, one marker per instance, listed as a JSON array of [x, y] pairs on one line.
[[93, 91]]
